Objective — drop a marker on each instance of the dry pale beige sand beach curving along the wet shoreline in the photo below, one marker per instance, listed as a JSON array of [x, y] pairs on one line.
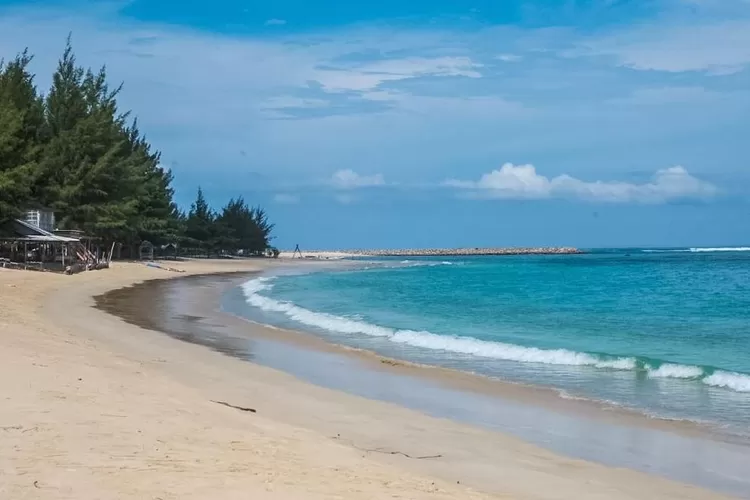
[[95, 407]]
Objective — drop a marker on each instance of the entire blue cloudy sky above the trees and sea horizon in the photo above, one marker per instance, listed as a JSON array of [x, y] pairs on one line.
[[434, 123]]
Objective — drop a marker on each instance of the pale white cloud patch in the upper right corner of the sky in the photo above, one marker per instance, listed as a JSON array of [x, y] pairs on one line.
[[719, 47]]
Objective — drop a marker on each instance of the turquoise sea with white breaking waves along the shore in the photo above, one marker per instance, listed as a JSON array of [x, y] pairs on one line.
[[665, 332]]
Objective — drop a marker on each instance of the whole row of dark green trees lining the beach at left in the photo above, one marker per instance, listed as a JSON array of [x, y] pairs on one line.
[[75, 152]]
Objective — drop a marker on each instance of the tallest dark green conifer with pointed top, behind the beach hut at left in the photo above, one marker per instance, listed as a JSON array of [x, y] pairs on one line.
[[90, 173]]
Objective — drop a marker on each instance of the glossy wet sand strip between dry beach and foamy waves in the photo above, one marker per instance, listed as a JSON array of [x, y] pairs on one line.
[[189, 310]]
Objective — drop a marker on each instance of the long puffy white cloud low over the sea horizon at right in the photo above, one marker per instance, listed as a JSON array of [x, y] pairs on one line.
[[523, 182]]
